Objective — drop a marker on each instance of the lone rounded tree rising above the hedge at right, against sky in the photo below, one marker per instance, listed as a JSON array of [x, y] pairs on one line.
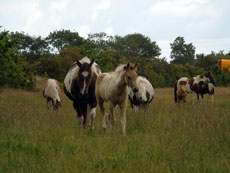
[[181, 52]]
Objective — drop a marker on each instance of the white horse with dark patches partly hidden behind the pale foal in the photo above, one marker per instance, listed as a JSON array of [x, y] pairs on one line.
[[144, 95]]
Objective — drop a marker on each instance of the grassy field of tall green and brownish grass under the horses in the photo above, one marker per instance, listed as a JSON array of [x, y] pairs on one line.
[[165, 138]]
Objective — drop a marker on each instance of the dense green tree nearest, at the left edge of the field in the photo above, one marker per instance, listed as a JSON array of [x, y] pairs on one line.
[[14, 72]]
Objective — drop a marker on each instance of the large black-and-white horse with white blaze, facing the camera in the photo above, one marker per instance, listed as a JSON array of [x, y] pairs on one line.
[[79, 86]]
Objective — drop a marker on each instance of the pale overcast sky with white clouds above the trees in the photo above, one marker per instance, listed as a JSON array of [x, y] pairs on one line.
[[205, 23]]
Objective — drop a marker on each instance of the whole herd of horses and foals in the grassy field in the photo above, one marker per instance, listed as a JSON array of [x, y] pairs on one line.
[[87, 86]]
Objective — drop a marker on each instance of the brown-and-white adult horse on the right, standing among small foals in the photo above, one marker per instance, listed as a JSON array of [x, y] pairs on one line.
[[194, 84]]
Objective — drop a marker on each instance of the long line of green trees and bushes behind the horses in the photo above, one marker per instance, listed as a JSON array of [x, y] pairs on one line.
[[23, 56]]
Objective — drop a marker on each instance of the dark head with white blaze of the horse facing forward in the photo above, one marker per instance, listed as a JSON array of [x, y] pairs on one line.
[[84, 77]]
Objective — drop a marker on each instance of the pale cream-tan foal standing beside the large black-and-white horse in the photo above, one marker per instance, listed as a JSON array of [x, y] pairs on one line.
[[112, 87]]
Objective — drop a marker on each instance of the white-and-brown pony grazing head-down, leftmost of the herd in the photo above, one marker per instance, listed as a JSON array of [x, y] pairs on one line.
[[51, 93]]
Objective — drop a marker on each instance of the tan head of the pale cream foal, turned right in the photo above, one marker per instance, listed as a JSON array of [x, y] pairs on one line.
[[131, 76]]
